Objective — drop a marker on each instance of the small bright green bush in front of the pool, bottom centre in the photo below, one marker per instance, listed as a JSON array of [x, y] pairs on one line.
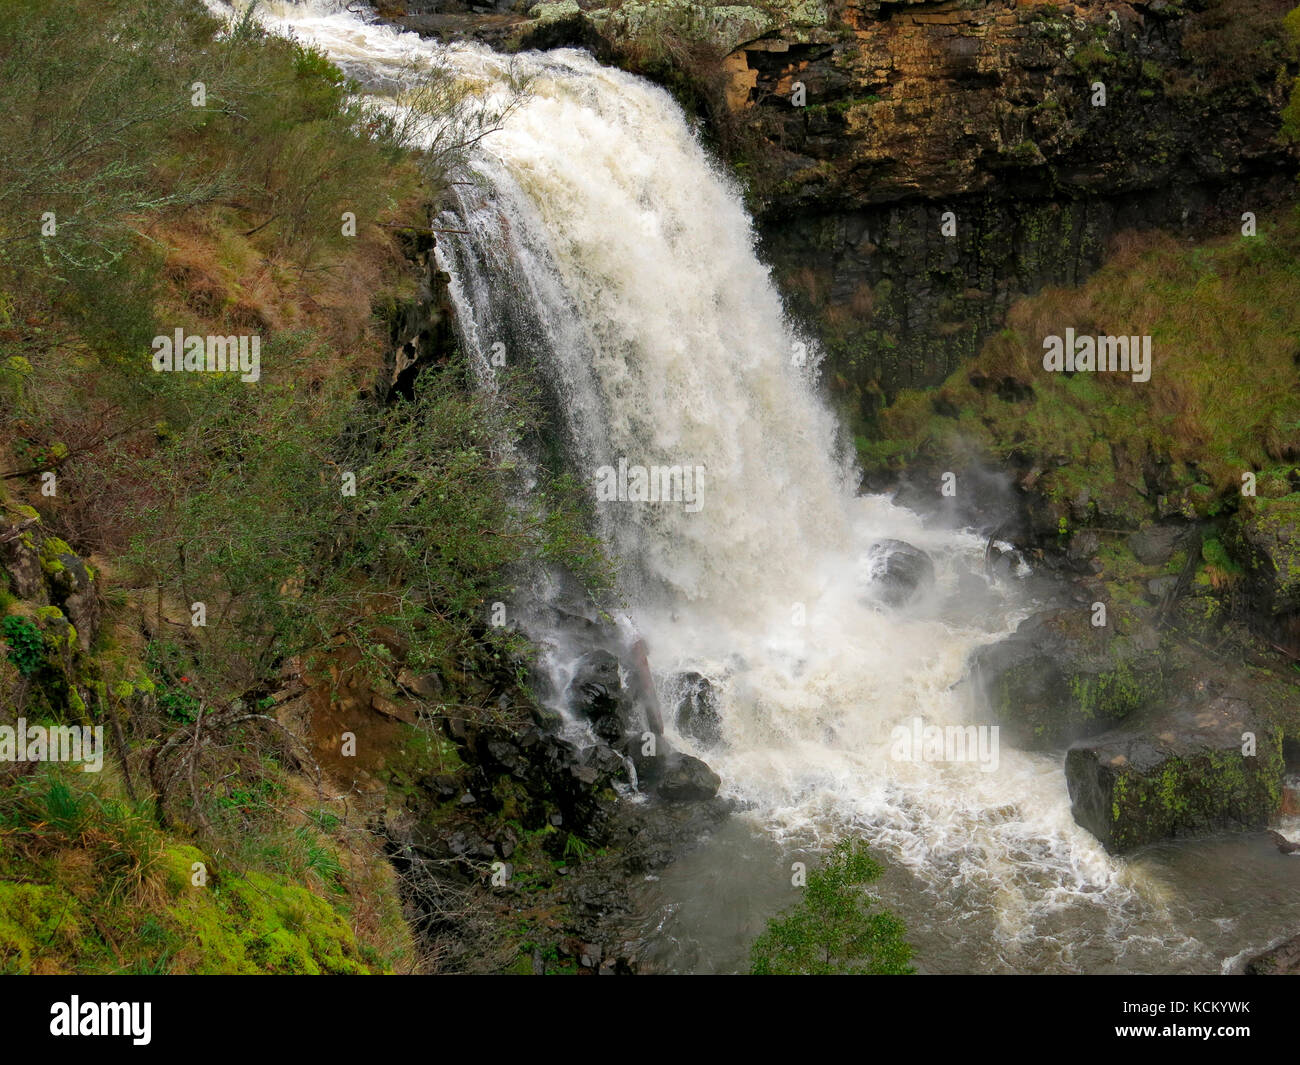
[[835, 930]]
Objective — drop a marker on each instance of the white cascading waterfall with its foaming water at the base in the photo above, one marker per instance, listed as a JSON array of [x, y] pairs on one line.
[[605, 243]]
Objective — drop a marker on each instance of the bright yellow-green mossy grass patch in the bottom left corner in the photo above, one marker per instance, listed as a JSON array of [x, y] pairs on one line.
[[90, 884]]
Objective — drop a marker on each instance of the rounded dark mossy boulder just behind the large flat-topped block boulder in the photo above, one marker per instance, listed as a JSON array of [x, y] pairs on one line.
[[1060, 678]]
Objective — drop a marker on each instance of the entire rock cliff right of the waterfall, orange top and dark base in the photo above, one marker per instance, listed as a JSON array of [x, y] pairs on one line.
[[859, 125]]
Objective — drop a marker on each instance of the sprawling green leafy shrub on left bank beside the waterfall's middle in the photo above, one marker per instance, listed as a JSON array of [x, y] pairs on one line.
[[265, 534]]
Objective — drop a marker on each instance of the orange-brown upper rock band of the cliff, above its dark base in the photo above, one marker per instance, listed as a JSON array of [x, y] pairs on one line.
[[941, 101]]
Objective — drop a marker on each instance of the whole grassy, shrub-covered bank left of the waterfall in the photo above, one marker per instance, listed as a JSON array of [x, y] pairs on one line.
[[219, 540]]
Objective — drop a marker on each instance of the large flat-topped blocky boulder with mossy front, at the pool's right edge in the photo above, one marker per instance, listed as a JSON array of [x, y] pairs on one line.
[[1202, 765]]
